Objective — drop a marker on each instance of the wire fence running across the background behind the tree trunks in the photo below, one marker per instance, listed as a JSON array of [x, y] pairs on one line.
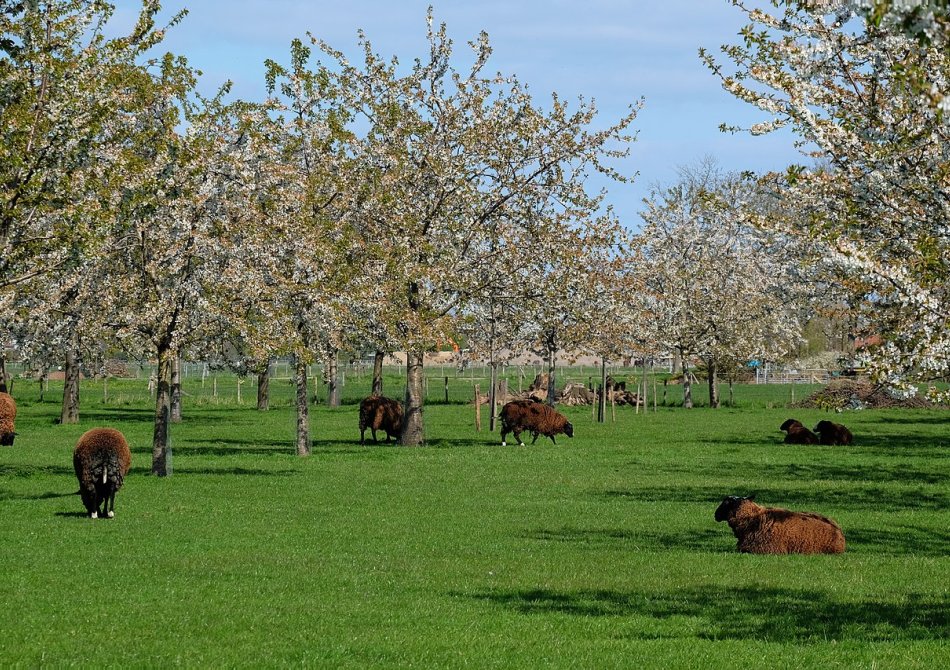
[[133, 383]]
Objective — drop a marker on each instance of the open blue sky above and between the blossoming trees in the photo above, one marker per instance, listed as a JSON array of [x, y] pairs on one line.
[[612, 50]]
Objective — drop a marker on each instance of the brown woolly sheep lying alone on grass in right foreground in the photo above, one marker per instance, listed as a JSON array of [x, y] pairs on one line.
[[770, 530]]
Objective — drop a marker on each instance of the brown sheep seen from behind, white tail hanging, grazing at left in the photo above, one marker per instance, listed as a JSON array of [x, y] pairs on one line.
[[101, 460]]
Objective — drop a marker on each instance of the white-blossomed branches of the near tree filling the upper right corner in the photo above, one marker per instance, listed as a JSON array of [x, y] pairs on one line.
[[868, 101]]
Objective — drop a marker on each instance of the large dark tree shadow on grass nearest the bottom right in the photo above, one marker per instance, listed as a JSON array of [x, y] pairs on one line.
[[745, 613]]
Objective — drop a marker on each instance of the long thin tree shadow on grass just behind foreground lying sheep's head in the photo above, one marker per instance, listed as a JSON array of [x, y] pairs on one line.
[[869, 498]]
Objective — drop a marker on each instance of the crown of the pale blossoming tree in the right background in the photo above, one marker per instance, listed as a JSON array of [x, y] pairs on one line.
[[713, 287]]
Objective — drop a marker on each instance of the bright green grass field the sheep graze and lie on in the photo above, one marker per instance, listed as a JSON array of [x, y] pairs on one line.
[[598, 552]]
